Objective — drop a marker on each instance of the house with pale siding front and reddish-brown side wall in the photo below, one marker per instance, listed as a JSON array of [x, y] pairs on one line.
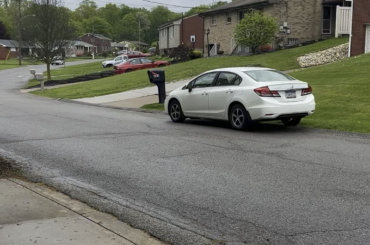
[[188, 31]]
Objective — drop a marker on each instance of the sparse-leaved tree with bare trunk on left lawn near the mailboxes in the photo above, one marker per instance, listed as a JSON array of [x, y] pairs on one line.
[[49, 31]]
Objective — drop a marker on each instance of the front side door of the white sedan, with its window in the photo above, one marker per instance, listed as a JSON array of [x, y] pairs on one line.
[[195, 103]]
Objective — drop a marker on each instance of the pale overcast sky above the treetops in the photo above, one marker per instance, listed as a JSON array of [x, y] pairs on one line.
[[72, 4]]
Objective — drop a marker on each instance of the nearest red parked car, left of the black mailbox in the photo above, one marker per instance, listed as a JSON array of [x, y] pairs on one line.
[[138, 64]]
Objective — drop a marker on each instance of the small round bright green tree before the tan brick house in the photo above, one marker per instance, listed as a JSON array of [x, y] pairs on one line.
[[255, 30]]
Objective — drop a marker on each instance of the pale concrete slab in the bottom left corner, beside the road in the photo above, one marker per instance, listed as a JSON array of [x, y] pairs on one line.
[[34, 214]]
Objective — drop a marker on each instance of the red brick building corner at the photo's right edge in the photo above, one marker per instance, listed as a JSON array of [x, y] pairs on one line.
[[360, 39]]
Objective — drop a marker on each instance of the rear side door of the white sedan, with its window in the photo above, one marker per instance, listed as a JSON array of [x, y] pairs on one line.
[[222, 93]]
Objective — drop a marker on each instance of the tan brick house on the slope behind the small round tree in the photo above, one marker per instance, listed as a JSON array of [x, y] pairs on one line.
[[299, 21]]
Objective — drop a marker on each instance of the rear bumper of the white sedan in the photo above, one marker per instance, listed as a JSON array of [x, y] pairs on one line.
[[277, 111]]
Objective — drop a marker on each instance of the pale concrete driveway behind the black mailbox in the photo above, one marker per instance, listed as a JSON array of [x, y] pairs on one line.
[[133, 98]]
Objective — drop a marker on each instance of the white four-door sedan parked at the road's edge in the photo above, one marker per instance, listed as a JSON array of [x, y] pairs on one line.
[[242, 95]]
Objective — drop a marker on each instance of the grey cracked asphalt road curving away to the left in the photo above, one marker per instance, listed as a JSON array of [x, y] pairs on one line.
[[194, 183]]
